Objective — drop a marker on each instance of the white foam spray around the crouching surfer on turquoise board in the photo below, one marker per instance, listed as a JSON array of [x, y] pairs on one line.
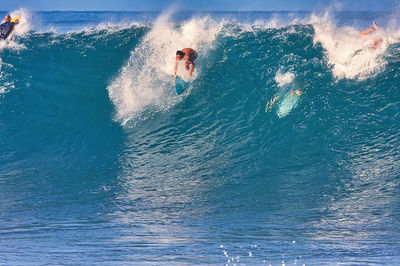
[[146, 80]]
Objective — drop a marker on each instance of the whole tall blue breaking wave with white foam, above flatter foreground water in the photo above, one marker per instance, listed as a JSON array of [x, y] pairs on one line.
[[237, 74]]
